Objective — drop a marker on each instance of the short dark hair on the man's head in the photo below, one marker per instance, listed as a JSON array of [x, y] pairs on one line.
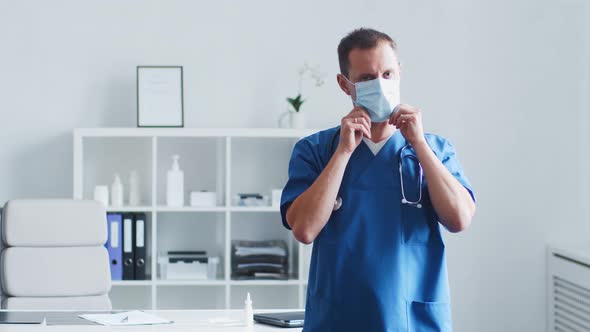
[[363, 38]]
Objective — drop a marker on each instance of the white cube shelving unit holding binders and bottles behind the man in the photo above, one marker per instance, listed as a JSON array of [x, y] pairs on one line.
[[226, 161]]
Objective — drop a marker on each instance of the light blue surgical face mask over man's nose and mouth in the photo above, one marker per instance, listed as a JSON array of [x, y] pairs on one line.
[[379, 97]]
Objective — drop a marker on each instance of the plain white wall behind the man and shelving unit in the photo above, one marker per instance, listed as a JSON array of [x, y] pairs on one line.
[[505, 80]]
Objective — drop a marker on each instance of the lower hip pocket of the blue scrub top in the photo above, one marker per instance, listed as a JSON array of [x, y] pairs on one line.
[[429, 317]]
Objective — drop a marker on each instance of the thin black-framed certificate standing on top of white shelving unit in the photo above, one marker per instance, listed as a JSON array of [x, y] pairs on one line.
[[160, 99]]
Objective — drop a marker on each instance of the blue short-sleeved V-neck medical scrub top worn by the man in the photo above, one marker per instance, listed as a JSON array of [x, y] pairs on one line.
[[378, 264]]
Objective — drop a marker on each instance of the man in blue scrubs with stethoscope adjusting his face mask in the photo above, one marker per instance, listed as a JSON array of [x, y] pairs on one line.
[[370, 195]]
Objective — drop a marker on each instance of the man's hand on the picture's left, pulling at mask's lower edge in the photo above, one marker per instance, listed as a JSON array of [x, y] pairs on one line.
[[353, 127]]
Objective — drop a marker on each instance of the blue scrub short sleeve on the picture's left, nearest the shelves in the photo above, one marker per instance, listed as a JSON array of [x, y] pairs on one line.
[[304, 168]]
